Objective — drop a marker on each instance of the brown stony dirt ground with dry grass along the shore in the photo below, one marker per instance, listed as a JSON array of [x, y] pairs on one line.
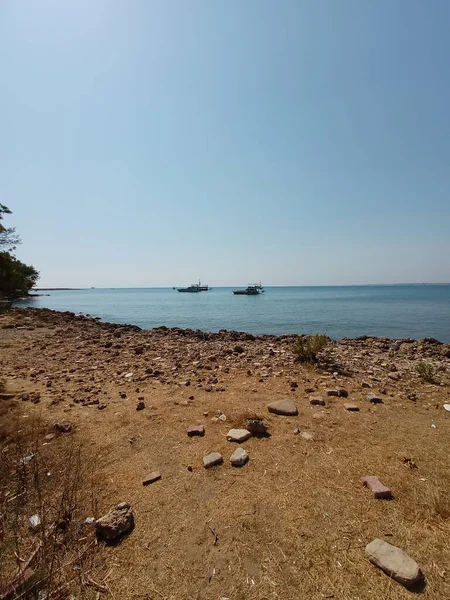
[[292, 523]]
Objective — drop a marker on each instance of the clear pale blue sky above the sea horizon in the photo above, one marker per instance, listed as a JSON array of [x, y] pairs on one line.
[[148, 143]]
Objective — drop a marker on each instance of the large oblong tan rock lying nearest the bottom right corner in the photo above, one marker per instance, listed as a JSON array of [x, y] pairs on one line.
[[394, 562]]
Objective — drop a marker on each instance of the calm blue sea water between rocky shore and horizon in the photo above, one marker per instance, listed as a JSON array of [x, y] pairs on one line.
[[402, 311]]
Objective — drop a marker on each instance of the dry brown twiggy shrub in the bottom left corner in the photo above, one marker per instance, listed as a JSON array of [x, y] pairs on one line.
[[57, 482]]
